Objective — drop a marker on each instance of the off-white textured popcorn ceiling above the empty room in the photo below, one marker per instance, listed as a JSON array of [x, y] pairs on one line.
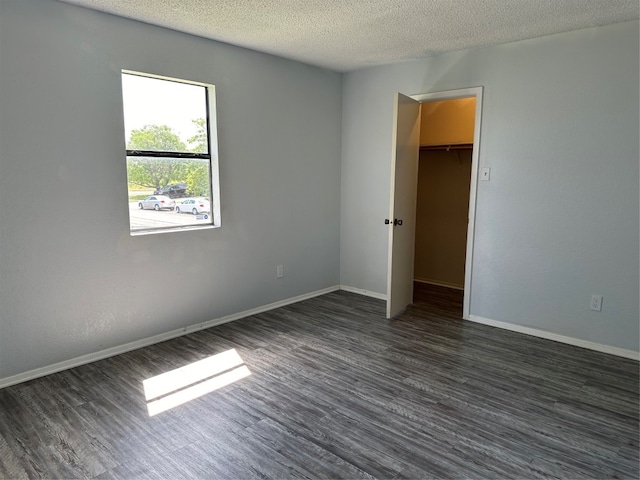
[[345, 35]]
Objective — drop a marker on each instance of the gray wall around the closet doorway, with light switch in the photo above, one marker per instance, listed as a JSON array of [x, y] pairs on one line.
[[559, 219]]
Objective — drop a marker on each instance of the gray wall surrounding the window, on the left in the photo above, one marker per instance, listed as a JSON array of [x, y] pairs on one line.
[[72, 279]]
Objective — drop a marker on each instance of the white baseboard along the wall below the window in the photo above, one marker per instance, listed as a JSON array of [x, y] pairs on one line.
[[145, 342]]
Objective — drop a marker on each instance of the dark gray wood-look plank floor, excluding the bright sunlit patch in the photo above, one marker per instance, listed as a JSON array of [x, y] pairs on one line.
[[336, 391]]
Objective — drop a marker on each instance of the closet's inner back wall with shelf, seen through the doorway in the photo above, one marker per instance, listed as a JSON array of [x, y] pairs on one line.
[[444, 176]]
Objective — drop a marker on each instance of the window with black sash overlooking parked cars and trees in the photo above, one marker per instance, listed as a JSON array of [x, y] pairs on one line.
[[172, 169]]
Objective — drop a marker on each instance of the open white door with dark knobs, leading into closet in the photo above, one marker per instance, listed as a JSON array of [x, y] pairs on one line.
[[402, 210]]
